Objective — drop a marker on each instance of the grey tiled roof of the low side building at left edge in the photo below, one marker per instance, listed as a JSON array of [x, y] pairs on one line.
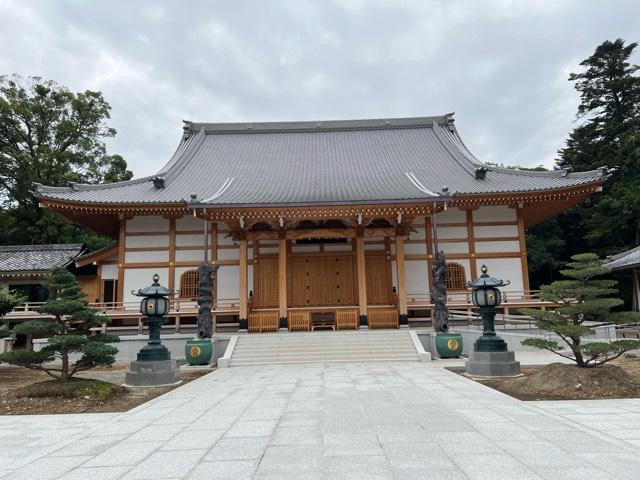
[[37, 258]]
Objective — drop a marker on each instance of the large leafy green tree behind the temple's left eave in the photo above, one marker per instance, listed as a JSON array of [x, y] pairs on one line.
[[53, 136]]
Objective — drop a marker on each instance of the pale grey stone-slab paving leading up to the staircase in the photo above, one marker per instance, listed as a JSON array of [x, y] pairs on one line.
[[330, 421]]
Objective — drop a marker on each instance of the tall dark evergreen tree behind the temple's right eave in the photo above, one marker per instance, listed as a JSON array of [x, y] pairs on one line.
[[609, 136]]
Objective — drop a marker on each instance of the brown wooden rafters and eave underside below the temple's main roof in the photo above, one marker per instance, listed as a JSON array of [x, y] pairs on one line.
[[536, 206]]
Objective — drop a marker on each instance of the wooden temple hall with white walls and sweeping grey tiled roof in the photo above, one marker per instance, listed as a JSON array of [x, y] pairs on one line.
[[328, 221]]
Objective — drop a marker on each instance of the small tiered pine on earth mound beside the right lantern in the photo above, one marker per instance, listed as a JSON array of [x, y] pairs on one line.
[[584, 302]]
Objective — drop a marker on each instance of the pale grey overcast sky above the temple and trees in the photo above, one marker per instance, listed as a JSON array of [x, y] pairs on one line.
[[501, 66]]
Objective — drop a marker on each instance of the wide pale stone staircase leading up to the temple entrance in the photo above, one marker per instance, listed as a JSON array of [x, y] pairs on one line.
[[324, 346]]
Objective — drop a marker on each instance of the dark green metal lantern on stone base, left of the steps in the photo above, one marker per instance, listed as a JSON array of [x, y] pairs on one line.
[[154, 365]]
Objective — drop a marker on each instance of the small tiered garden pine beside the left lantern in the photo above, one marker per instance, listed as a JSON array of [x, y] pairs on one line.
[[69, 333]]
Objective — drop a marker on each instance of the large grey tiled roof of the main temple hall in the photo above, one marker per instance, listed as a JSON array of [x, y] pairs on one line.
[[318, 162]]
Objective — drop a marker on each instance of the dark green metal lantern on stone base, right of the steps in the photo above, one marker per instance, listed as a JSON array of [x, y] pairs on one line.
[[490, 356]]
